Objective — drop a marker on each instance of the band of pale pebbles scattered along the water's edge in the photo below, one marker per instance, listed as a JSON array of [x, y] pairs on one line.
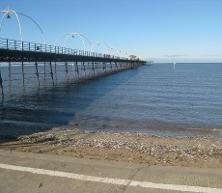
[[165, 149]]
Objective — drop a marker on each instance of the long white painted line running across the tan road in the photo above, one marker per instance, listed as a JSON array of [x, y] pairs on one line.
[[114, 181]]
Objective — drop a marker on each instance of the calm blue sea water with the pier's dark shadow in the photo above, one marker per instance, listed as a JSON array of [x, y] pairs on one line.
[[155, 99]]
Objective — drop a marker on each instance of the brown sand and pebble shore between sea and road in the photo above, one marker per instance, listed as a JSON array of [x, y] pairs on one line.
[[124, 146]]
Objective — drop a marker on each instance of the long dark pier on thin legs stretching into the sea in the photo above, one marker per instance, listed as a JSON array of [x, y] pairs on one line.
[[82, 64]]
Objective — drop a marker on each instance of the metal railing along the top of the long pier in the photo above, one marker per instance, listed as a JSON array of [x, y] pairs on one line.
[[46, 48]]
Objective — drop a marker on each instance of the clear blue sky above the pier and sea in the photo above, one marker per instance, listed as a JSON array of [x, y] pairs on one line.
[[180, 30]]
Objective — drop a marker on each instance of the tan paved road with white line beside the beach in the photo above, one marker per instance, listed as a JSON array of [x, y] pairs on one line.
[[43, 173]]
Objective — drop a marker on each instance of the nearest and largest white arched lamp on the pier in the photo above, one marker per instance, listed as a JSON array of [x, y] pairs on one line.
[[8, 13]]
